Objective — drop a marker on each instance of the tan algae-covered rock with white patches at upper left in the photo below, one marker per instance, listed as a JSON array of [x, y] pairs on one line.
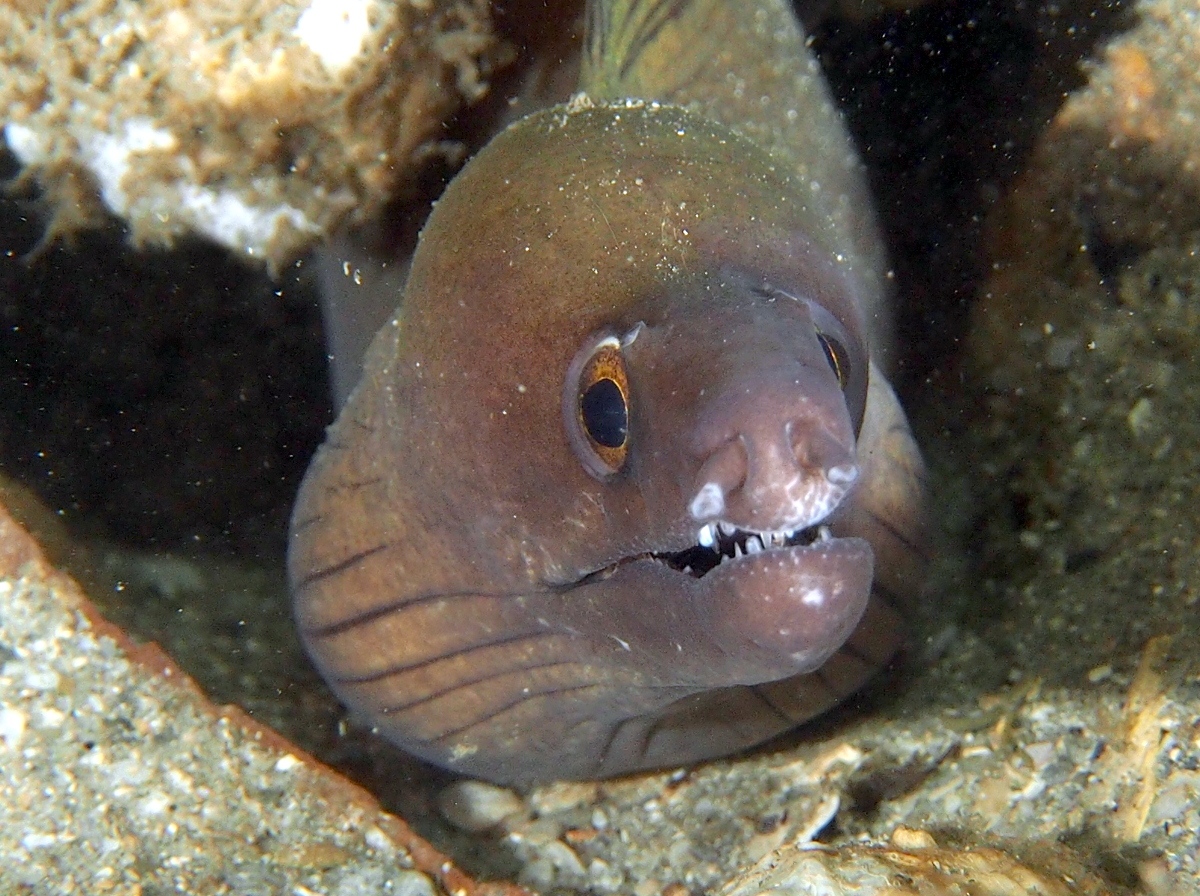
[[260, 125]]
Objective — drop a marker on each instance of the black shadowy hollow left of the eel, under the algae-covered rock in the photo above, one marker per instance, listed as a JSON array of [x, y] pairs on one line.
[[163, 400]]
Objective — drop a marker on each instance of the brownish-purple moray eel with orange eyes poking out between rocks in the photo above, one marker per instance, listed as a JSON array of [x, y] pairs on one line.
[[623, 484]]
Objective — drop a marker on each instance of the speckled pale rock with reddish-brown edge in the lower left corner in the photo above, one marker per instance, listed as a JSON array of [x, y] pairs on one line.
[[118, 775]]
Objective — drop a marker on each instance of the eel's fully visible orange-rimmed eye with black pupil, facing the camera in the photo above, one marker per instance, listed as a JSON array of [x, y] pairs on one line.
[[598, 417]]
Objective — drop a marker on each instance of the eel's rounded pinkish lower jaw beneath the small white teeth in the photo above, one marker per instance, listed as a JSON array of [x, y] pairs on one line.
[[742, 620]]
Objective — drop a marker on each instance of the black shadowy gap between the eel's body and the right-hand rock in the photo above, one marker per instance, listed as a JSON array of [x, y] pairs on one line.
[[946, 103]]
